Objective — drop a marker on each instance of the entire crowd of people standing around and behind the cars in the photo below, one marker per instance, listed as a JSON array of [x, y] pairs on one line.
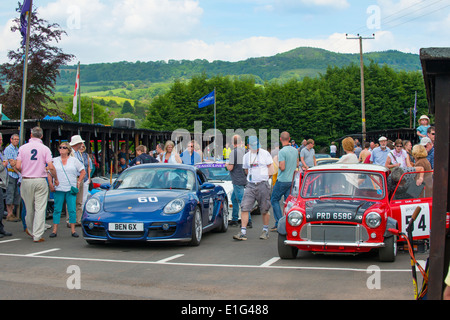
[[30, 172]]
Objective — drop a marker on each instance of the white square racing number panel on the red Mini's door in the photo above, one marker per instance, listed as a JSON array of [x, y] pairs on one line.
[[422, 223]]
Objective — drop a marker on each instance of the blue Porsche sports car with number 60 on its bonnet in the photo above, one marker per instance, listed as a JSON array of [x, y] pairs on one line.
[[156, 202]]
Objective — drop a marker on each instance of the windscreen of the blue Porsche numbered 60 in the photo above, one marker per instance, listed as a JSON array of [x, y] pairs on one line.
[[156, 178]]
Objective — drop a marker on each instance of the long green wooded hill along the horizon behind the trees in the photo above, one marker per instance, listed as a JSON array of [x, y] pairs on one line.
[[297, 63]]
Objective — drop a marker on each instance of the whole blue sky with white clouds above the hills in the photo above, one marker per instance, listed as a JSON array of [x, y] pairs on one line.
[[232, 30]]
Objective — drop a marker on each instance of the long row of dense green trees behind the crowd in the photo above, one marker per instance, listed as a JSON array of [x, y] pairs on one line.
[[323, 108]]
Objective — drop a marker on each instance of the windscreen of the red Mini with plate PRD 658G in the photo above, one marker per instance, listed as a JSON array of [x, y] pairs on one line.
[[343, 184]]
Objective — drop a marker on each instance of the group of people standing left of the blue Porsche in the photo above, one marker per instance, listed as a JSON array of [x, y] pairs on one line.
[[29, 173]]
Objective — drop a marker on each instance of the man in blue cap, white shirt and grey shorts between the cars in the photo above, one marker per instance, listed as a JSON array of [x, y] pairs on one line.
[[258, 165]]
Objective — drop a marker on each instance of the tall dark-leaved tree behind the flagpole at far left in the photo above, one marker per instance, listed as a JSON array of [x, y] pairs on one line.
[[45, 61]]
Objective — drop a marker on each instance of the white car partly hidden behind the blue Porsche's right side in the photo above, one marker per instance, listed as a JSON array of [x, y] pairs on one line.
[[217, 173]]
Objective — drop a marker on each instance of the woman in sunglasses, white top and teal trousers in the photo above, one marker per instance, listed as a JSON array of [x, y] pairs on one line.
[[71, 173]]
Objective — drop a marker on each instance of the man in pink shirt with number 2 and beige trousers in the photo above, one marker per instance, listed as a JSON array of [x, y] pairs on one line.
[[33, 161]]
